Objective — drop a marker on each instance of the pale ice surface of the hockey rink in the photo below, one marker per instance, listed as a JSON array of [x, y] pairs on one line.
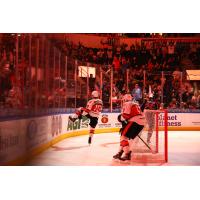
[[183, 150]]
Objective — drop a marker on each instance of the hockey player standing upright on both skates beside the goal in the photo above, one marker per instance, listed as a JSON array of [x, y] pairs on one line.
[[133, 121]]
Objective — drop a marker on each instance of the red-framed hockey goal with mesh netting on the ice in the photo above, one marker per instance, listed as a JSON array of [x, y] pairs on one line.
[[151, 144]]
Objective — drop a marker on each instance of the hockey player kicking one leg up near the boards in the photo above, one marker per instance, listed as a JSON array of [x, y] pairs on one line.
[[92, 111]]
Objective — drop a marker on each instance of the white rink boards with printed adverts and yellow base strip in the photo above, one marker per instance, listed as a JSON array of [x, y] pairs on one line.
[[23, 138]]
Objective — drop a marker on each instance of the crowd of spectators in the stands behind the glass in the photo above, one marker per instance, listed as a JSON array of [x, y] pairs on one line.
[[152, 56]]
